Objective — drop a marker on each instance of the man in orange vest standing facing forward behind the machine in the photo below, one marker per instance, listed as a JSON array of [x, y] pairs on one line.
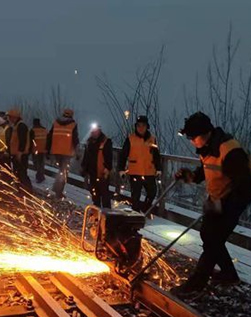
[[141, 151]]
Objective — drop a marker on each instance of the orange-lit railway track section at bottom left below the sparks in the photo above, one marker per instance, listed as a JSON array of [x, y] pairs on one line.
[[54, 295]]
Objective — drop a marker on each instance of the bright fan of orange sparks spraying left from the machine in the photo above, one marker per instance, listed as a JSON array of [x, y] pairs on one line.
[[33, 239]]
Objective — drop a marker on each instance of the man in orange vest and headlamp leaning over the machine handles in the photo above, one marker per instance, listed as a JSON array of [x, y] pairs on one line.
[[225, 168]]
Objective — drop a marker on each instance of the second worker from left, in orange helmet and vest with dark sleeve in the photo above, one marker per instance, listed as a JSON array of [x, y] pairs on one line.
[[19, 147]]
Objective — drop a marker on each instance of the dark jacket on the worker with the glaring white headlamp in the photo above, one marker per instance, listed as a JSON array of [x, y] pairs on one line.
[[90, 159]]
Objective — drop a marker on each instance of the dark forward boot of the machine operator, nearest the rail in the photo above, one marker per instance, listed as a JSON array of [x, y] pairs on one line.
[[191, 289]]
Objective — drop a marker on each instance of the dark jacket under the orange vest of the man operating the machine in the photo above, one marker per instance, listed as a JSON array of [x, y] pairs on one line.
[[236, 166]]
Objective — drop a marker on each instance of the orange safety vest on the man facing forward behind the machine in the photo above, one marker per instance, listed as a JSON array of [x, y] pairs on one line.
[[140, 161]]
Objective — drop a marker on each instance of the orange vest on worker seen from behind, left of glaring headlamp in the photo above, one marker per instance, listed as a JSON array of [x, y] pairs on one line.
[[62, 139]]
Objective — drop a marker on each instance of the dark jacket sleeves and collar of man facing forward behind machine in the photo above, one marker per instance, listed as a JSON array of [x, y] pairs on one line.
[[126, 151]]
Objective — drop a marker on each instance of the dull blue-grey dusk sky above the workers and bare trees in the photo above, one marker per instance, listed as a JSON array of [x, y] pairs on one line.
[[43, 42]]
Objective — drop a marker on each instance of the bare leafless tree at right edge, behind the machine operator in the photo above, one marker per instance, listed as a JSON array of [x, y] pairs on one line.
[[228, 102]]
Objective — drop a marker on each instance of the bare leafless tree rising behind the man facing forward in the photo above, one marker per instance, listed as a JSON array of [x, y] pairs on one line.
[[139, 99]]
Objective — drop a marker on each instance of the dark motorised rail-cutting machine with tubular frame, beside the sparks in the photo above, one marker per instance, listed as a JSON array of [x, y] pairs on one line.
[[113, 236]]
